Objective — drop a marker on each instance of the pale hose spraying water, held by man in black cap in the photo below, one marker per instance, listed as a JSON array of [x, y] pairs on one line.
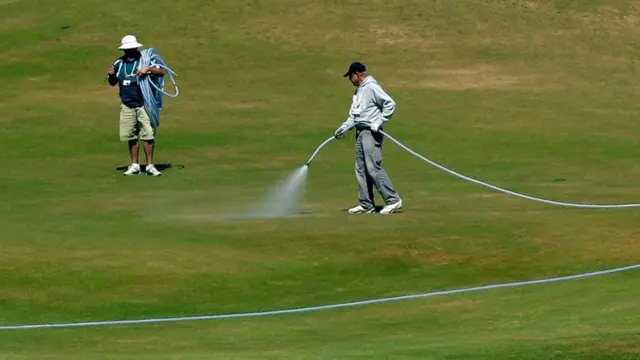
[[509, 192]]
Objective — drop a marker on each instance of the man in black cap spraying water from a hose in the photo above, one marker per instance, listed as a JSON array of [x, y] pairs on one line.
[[370, 109]]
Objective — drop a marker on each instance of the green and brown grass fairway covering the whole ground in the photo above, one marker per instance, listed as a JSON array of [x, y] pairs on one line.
[[536, 96]]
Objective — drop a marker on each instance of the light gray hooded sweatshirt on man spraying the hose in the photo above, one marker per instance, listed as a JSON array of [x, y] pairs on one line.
[[370, 104]]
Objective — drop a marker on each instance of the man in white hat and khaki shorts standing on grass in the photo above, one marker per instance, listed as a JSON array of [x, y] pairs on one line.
[[134, 121]]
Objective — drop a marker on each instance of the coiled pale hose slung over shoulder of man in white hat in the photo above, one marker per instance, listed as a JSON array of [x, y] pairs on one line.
[[152, 87]]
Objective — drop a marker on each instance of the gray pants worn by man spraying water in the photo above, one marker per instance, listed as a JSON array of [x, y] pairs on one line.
[[369, 171]]
